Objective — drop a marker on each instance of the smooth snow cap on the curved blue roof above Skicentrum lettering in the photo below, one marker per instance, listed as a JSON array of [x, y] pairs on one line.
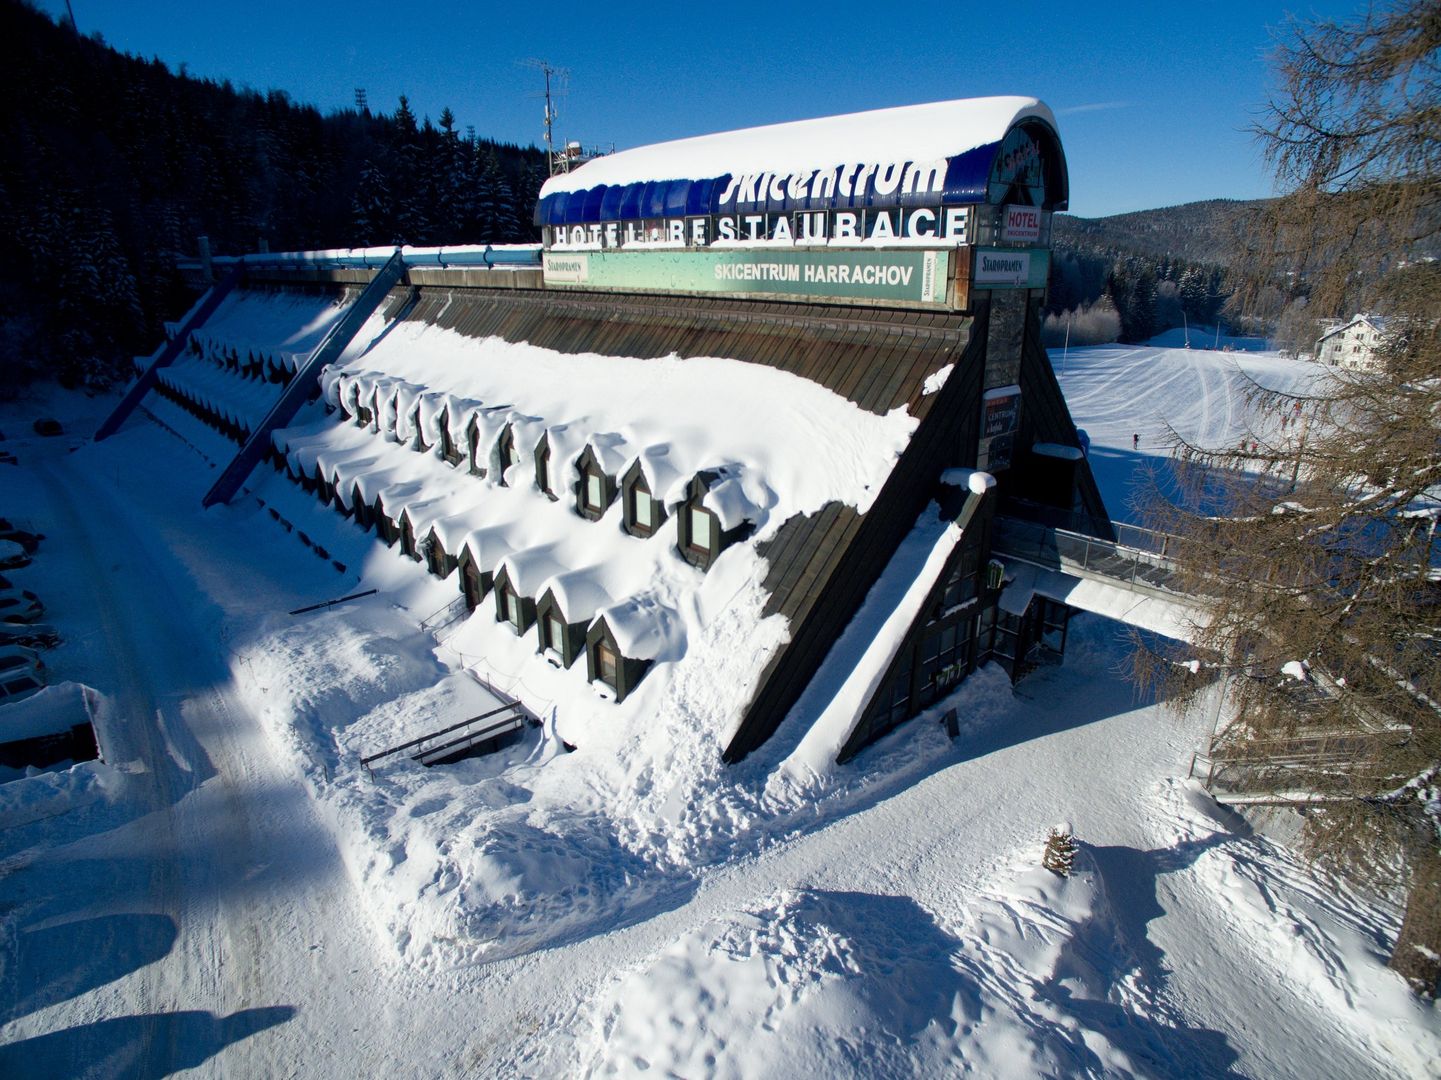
[[909, 133]]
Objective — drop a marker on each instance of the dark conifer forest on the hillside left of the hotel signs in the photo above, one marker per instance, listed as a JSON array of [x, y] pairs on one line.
[[115, 165]]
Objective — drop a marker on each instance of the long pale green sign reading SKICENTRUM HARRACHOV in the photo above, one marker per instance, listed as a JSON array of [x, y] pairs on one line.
[[910, 278]]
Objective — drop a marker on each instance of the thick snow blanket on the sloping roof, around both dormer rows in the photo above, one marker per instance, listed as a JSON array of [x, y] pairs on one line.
[[767, 443]]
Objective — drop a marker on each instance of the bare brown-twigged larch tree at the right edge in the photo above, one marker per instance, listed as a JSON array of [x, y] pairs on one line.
[[1313, 544]]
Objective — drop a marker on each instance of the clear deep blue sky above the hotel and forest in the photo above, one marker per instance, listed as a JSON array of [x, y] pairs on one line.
[[1154, 99]]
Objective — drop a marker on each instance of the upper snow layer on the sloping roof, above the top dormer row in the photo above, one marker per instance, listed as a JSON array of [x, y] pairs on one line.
[[803, 443]]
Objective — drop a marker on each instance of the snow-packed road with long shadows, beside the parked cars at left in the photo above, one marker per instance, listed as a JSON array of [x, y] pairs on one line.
[[218, 899]]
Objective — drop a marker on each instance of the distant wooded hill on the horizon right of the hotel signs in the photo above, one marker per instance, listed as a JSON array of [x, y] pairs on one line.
[[1192, 233]]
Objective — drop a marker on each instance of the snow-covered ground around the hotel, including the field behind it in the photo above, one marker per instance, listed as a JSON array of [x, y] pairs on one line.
[[234, 893]]
